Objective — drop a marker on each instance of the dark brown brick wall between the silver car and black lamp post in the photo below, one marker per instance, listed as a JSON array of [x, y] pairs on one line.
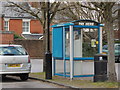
[[34, 47]]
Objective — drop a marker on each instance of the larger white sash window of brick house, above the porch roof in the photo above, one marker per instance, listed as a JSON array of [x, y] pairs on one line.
[[26, 26]]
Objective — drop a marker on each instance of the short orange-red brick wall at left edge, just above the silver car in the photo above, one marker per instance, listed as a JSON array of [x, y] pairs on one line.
[[6, 37]]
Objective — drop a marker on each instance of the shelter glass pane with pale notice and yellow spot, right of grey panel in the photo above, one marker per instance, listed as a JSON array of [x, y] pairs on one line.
[[90, 42]]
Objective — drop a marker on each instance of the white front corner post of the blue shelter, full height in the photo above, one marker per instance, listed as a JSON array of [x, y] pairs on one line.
[[71, 52]]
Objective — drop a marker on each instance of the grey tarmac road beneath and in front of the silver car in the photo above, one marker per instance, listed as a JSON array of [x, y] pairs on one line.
[[15, 82]]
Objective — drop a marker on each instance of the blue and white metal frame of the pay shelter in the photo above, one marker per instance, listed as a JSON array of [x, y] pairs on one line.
[[71, 58]]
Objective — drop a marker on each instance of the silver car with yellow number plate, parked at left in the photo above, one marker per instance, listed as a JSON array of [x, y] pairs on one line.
[[14, 60]]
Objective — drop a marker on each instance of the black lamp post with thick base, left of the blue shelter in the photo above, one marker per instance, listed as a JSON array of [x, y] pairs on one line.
[[48, 55]]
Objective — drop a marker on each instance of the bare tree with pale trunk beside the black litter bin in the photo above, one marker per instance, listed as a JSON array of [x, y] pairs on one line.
[[101, 12]]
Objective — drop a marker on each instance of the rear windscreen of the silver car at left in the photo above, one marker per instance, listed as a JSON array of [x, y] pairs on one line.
[[12, 50]]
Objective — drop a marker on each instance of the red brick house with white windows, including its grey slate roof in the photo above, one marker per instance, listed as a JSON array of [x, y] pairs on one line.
[[22, 24]]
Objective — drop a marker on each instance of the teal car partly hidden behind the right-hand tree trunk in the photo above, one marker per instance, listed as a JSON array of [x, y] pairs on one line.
[[117, 51]]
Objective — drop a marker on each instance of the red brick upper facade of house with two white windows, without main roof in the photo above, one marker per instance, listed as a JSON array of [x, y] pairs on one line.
[[27, 27]]
